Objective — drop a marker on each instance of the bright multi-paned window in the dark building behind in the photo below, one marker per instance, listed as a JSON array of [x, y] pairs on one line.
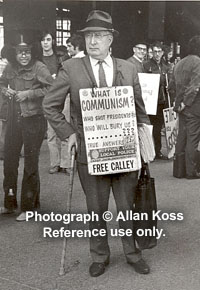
[[63, 26]]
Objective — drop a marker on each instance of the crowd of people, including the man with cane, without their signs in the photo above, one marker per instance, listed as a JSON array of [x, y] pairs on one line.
[[40, 95]]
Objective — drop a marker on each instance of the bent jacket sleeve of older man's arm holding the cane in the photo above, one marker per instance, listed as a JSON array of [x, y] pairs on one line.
[[53, 105]]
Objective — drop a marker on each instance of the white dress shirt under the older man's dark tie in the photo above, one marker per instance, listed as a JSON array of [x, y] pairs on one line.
[[107, 66]]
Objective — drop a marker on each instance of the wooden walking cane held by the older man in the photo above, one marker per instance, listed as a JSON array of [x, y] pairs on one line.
[[69, 198]]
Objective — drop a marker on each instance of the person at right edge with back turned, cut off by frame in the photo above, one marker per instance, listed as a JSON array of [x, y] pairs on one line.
[[185, 87]]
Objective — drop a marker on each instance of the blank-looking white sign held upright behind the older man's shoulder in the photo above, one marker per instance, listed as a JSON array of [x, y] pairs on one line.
[[150, 86]]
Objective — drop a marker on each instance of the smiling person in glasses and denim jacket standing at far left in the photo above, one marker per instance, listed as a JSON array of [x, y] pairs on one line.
[[23, 84]]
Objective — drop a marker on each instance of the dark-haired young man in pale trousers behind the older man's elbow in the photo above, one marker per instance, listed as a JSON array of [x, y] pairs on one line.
[[59, 161]]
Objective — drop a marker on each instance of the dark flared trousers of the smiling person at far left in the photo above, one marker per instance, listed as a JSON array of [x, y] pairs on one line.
[[29, 131]]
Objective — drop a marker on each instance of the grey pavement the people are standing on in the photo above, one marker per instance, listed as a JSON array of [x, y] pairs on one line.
[[28, 261]]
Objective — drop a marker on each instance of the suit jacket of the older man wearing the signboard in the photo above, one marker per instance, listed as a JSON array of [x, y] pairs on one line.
[[77, 74]]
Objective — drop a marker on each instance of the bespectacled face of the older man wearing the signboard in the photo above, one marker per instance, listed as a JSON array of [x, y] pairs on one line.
[[98, 43]]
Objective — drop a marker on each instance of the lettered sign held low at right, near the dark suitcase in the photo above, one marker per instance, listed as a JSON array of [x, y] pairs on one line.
[[171, 130]]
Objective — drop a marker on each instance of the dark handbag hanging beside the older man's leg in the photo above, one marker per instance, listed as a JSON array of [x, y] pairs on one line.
[[145, 202]]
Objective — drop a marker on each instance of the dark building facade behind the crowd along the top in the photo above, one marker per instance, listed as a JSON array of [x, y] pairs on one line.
[[173, 22]]
